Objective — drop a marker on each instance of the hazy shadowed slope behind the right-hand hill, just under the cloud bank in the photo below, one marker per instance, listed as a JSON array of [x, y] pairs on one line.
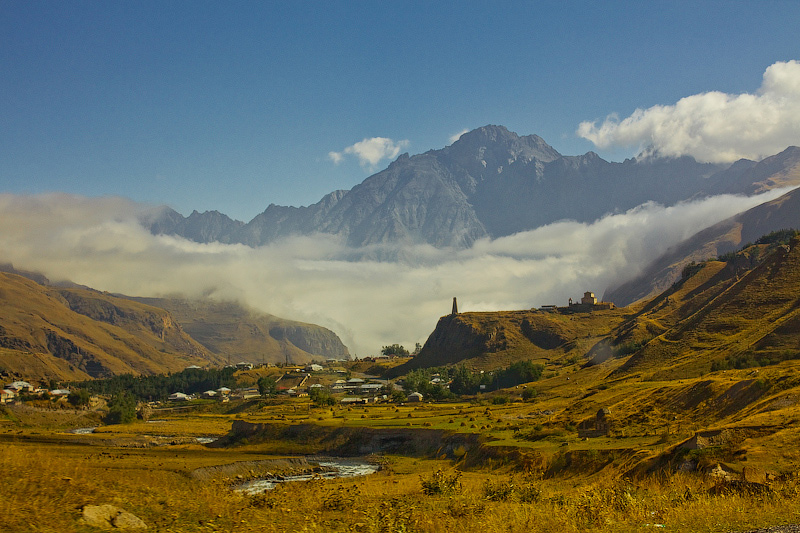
[[721, 238]]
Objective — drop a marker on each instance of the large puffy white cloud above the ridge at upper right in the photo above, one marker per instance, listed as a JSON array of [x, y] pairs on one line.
[[714, 126]]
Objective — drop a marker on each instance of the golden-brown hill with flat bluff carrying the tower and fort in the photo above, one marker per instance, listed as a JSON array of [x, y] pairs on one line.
[[740, 312]]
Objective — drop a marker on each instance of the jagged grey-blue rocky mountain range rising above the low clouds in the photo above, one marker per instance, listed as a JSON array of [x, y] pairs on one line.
[[489, 183]]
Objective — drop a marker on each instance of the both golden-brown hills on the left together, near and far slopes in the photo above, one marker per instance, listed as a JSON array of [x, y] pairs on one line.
[[72, 333]]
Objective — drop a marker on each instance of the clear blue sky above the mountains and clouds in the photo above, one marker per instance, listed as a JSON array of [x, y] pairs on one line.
[[235, 105]]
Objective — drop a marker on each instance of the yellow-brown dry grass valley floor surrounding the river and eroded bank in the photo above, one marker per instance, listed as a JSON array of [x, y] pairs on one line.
[[532, 473]]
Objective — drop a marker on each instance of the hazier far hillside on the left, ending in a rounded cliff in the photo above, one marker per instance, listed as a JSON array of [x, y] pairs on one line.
[[238, 334]]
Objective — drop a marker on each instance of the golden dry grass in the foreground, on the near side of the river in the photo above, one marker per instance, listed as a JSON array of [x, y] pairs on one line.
[[51, 482]]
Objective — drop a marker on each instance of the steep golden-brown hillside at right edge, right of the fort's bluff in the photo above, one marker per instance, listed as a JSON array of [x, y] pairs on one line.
[[724, 315]]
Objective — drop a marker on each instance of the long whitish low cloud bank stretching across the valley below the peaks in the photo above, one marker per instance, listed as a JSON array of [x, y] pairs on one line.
[[98, 242]]
